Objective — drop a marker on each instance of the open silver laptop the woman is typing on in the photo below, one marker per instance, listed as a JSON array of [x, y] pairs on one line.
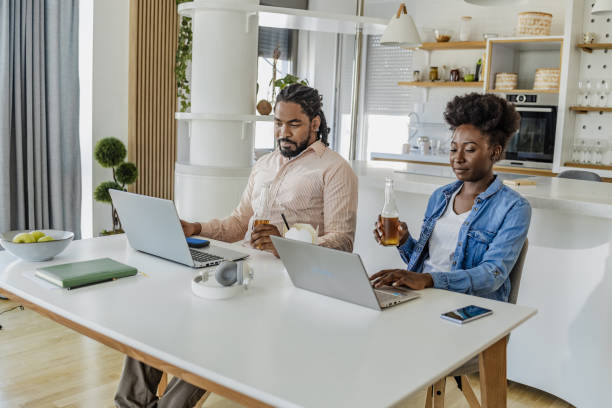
[[334, 273]]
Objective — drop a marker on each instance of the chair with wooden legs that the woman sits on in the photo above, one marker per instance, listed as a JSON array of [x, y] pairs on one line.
[[435, 393]]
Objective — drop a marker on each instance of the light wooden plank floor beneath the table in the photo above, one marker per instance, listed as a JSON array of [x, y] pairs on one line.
[[44, 364]]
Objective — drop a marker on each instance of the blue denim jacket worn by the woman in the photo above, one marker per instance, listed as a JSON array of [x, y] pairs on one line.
[[489, 242]]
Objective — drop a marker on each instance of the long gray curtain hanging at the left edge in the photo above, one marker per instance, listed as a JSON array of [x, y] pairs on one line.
[[39, 115]]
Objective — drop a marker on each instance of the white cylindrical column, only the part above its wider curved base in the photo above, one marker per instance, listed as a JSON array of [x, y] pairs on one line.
[[224, 80]]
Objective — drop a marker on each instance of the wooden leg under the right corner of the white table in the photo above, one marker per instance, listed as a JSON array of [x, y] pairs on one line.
[[493, 382]]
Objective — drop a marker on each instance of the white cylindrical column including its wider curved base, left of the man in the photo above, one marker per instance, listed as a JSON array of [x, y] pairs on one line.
[[223, 81]]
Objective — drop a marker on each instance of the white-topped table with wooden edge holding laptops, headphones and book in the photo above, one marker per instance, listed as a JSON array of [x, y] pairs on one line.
[[274, 345]]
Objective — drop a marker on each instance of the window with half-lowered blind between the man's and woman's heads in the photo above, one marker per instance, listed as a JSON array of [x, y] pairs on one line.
[[387, 105]]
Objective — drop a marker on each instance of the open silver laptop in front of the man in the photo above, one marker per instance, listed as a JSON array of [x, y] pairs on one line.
[[152, 225]]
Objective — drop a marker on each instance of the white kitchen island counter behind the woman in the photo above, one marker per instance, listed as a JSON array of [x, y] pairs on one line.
[[566, 350]]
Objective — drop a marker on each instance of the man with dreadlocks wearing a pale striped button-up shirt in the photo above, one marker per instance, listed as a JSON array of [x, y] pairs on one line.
[[309, 183]]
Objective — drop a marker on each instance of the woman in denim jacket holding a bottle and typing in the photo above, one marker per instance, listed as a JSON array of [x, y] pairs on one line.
[[474, 228]]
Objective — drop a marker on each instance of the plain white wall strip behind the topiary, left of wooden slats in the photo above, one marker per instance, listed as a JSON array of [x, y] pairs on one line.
[[109, 90]]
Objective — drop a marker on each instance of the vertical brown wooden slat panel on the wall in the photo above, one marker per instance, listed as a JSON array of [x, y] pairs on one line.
[[152, 95]]
